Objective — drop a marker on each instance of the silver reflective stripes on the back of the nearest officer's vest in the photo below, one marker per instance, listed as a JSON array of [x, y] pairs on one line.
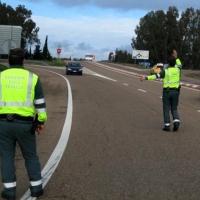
[[28, 103]]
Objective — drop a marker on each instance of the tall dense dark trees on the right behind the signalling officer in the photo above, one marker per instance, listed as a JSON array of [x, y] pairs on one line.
[[160, 33]]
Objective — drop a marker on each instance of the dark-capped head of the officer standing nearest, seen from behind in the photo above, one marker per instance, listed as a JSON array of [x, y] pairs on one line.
[[16, 56]]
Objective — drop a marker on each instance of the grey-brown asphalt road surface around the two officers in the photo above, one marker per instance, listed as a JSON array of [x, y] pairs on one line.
[[117, 149]]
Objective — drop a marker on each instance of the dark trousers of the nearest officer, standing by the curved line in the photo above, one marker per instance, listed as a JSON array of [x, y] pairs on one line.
[[10, 133]]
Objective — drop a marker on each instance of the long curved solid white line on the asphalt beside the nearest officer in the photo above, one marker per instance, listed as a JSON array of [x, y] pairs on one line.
[[56, 156]]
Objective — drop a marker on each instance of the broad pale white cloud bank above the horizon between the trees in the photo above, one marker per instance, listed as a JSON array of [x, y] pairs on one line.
[[86, 35]]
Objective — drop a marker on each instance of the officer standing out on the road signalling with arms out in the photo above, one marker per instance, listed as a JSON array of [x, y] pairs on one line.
[[171, 90]]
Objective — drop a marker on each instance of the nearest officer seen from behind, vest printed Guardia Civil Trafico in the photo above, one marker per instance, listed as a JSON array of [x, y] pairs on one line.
[[21, 99]]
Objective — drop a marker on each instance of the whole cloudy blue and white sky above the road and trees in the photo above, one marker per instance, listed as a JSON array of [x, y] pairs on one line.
[[96, 27]]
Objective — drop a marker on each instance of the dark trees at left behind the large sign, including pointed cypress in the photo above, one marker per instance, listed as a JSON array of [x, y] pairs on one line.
[[20, 16]]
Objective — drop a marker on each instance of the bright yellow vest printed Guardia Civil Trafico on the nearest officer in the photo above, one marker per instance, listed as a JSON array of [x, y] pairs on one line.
[[17, 92]]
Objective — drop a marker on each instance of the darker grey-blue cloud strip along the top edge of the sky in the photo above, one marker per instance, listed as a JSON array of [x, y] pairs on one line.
[[126, 4]]
